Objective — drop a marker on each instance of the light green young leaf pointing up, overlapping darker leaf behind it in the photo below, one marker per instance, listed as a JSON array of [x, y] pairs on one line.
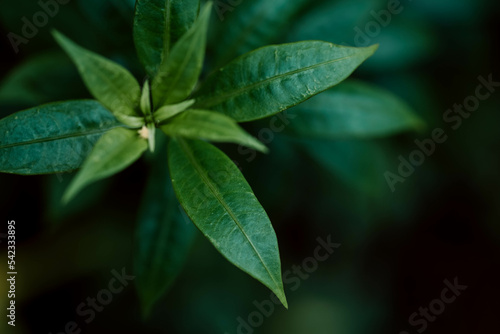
[[178, 74]]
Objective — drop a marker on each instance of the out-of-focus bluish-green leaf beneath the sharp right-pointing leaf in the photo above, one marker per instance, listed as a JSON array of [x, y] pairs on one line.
[[353, 109]]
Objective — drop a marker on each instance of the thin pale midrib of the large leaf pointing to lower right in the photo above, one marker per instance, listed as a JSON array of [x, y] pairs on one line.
[[216, 194]]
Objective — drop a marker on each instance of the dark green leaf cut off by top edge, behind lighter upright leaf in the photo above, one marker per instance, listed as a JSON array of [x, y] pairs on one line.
[[158, 25]]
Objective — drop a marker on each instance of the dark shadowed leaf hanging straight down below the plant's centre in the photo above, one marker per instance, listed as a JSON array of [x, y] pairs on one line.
[[163, 236]]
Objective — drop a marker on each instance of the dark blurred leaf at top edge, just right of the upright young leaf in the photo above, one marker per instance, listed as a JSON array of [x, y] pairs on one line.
[[251, 25]]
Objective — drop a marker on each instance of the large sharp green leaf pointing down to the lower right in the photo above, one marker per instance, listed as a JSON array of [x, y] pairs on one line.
[[222, 205]]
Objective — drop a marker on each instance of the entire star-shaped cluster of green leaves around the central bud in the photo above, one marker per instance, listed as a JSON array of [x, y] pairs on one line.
[[106, 135]]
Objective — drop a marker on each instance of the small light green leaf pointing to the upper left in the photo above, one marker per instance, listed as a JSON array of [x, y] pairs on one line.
[[108, 82]]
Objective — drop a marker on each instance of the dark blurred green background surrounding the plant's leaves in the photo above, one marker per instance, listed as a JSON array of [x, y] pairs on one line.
[[396, 249]]
